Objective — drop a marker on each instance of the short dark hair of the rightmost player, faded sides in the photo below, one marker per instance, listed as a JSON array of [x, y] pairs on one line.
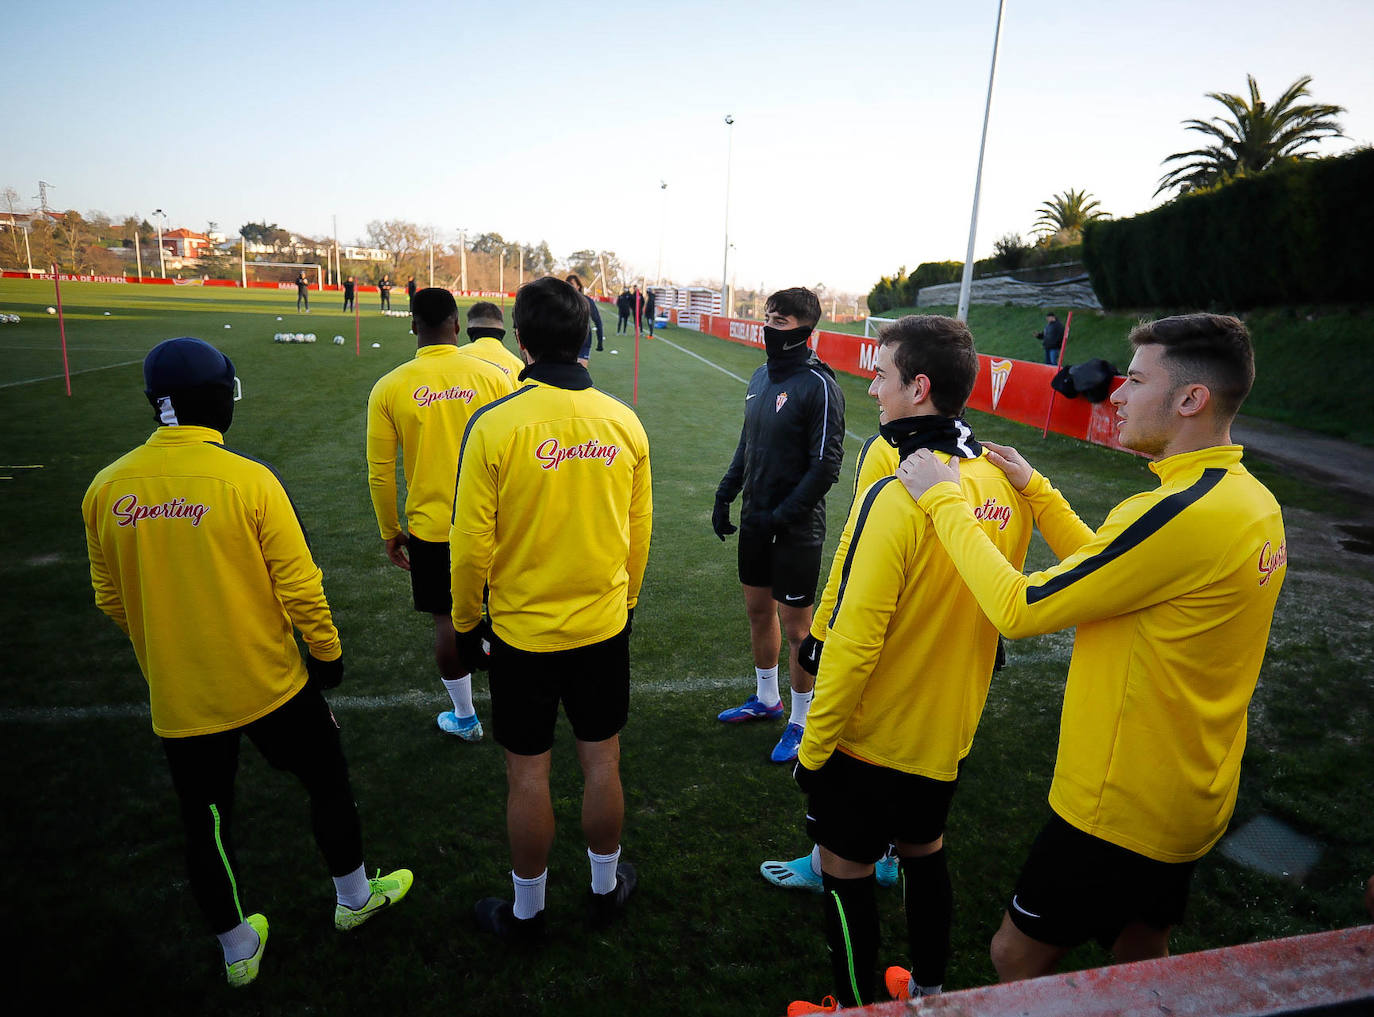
[[1206, 350]]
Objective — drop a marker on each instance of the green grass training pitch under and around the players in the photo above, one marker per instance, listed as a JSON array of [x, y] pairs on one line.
[[91, 840]]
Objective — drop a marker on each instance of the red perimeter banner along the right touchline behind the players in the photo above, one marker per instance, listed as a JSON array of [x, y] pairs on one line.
[[1016, 390]]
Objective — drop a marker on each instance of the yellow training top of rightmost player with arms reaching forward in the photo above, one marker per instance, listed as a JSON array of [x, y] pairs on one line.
[[1173, 600]]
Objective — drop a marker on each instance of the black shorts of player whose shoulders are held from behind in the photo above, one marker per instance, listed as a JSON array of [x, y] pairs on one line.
[[859, 809]]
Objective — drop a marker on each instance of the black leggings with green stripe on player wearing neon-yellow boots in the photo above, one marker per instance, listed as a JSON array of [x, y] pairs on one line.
[[300, 737]]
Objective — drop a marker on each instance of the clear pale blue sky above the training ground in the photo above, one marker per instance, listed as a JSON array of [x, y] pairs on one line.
[[855, 138]]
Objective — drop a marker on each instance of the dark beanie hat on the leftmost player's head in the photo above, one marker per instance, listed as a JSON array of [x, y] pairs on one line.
[[189, 381]]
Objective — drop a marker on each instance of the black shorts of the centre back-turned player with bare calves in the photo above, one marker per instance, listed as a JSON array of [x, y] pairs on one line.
[[593, 684]]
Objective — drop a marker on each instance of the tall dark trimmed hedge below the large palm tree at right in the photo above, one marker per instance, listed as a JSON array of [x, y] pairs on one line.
[[1302, 233]]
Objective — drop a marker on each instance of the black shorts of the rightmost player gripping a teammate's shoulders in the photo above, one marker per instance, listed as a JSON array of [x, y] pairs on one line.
[[1077, 887]]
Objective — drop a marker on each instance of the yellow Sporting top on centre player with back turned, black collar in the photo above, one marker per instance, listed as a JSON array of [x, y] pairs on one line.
[[554, 513]]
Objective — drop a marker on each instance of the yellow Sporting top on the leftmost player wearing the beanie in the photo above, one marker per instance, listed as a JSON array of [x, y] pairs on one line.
[[199, 556]]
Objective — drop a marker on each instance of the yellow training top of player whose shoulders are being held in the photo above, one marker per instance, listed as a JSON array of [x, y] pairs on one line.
[[909, 653]]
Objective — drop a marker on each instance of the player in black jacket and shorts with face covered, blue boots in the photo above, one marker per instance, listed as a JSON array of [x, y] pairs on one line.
[[789, 456]]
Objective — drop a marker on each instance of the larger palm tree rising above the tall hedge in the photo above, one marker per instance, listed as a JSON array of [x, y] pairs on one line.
[[1254, 138]]
